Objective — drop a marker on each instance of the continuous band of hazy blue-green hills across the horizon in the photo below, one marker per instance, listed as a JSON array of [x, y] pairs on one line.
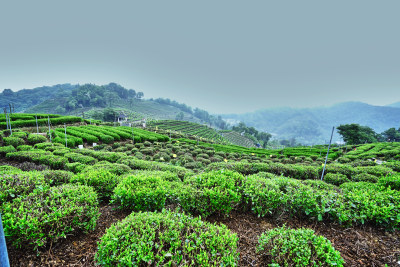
[[306, 125]]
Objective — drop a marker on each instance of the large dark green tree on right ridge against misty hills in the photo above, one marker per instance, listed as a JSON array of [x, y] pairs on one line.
[[354, 134]]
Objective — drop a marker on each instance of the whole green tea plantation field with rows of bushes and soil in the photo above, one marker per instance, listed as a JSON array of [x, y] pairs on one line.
[[136, 197]]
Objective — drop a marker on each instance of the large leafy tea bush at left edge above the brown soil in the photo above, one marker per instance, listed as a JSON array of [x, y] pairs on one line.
[[49, 215]]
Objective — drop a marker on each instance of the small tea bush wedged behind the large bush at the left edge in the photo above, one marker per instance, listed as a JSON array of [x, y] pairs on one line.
[[101, 180]]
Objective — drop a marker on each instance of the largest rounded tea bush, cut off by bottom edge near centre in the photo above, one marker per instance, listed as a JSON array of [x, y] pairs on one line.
[[167, 239]]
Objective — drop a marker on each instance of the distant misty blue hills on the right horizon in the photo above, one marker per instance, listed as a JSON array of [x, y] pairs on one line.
[[313, 125]]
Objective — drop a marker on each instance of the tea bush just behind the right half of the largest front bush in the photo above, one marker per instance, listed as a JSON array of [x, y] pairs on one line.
[[212, 192]]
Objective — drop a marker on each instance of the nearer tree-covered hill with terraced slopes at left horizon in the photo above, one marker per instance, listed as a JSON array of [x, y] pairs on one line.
[[94, 101]]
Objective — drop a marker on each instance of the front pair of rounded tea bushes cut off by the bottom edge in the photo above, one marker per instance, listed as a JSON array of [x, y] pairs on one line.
[[180, 240]]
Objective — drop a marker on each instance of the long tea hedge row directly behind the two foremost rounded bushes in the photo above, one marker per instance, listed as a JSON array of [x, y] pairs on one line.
[[223, 190]]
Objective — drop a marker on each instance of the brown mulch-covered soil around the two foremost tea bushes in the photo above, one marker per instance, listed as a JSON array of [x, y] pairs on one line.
[[359, 246]]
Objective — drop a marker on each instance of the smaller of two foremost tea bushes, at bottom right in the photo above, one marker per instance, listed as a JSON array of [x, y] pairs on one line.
[[301, 247]]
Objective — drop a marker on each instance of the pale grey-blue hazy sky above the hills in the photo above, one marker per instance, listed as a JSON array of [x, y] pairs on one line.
[[222, 56]]
